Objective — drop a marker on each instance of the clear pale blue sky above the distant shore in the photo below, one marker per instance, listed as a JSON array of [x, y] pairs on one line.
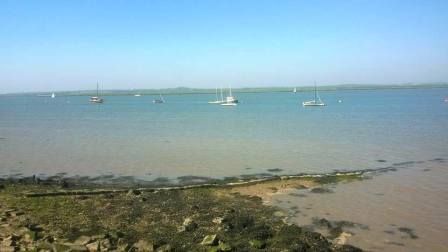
[[69, 45]]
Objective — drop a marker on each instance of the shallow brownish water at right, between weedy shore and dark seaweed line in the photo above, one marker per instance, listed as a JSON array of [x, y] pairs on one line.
[[415, 197]]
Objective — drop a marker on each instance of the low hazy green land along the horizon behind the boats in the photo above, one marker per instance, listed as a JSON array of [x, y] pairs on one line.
[[186, 90]]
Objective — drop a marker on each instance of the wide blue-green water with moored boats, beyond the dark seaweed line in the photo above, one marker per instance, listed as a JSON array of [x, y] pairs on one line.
[[130, 136]]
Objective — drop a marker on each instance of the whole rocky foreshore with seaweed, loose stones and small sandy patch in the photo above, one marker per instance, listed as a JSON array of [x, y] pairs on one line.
[[55, 217]]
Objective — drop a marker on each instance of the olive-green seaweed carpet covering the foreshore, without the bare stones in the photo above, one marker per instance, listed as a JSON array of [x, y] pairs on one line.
[[155, 217]]
